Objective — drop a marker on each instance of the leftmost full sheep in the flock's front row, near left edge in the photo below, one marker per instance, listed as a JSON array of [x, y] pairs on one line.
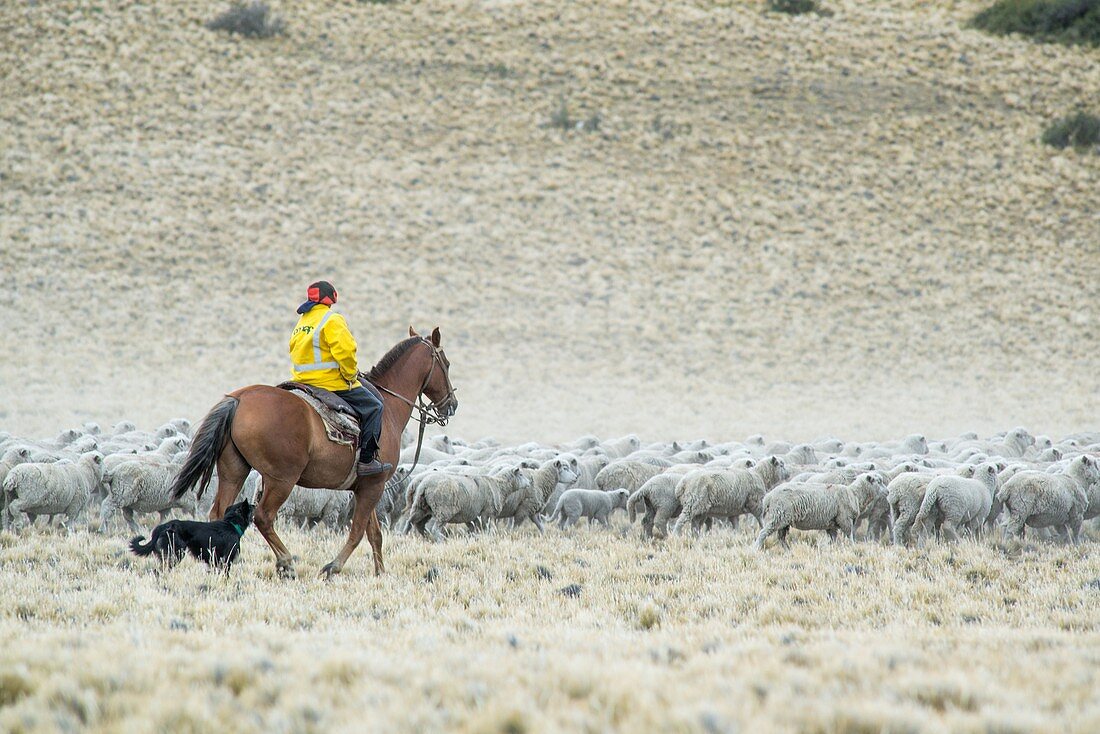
[[52, 489]]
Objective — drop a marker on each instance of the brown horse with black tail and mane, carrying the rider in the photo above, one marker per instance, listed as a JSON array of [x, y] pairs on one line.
[[282, 437]]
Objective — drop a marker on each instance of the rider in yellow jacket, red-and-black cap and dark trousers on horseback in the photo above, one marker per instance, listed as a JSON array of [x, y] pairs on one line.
[[323, 355]]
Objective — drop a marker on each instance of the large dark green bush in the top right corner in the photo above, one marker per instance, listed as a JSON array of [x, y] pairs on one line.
[[1064, 21]]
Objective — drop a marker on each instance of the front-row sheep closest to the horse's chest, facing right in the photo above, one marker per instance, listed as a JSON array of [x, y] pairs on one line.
[[444, 498]]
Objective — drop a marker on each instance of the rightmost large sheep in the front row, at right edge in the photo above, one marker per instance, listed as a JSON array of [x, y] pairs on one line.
[[1041, 500]]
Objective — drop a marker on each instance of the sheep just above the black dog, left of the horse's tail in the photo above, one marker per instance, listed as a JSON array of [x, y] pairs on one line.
[[145, 488]]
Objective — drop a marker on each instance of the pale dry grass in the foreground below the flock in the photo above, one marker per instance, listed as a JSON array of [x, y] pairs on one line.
[[471, 634]]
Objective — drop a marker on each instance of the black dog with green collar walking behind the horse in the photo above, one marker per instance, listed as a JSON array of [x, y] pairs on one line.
[[217, 543]]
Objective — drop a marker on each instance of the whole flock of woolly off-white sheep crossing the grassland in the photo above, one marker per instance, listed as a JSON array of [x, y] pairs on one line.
[[948, 488]]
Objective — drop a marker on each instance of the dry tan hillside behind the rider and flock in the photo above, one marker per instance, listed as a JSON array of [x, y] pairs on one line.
[[798, 226]]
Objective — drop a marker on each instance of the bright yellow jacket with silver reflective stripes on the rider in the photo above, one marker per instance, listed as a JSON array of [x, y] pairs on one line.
[[323, 350]]
